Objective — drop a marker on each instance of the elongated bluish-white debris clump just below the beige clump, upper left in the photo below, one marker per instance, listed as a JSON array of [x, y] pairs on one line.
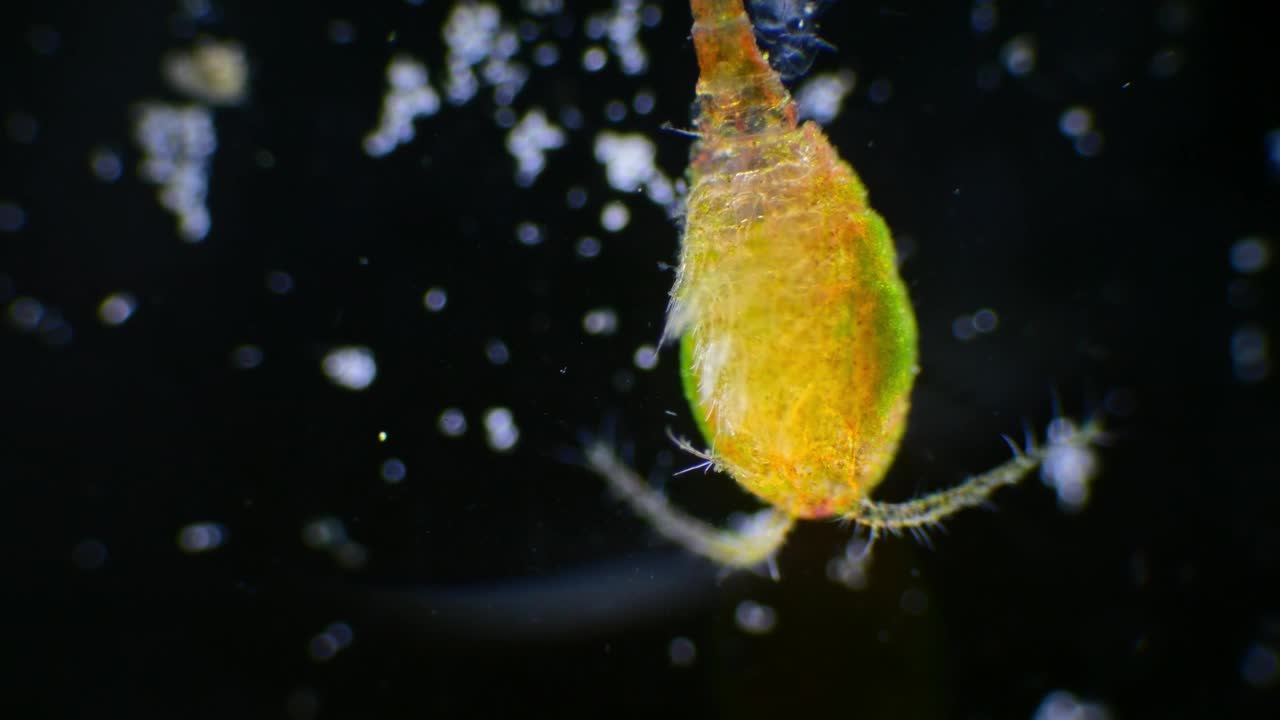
[[177, 144]]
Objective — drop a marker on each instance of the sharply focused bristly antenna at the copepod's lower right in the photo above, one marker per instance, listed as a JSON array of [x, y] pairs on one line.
[[930, 512]]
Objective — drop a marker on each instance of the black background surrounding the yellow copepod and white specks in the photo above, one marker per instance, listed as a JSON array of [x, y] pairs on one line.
[[511, 584]]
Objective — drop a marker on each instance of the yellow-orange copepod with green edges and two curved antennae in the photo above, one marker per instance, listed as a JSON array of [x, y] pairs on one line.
[[798, 340]]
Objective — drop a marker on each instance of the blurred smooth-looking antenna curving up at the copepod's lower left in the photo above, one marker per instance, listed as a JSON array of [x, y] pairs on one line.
[[749, 548]]
